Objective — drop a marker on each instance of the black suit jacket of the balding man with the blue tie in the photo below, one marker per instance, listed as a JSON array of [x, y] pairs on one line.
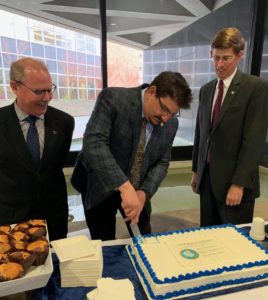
[[29, 191]]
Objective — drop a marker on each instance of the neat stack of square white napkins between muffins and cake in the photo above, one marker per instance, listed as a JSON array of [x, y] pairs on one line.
[[81, 260]]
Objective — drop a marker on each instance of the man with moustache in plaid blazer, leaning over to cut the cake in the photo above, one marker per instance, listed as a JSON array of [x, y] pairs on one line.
[[110, 144]]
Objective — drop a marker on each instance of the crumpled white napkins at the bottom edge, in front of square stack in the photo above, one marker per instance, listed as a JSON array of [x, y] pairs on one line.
[[111, 289]]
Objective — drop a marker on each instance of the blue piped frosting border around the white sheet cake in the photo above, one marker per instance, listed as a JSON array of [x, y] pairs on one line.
[[137, 240]]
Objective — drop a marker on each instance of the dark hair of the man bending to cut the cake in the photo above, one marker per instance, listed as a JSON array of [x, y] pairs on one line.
[[173, 85]]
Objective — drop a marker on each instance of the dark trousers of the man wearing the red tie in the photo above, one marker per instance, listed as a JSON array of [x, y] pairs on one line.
[[213, 212]]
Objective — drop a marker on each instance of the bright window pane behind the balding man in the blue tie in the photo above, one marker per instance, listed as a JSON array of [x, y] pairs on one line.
[[73, 60]]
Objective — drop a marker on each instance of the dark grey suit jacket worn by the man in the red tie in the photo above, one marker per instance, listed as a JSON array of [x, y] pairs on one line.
[[237, 140]]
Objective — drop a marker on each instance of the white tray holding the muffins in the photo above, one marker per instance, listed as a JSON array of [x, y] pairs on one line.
[[35, 277]]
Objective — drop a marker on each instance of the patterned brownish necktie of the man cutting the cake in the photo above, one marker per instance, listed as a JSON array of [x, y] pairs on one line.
[[135, 173]]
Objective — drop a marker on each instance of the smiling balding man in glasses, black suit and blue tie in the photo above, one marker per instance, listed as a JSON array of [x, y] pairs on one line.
[[32, 188]]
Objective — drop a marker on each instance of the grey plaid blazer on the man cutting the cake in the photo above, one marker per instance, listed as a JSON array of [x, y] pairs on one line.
[[110, 143]]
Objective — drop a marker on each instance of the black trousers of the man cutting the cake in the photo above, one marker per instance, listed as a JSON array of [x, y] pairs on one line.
[[101, 219]]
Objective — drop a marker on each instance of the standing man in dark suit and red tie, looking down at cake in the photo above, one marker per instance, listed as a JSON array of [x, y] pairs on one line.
[[227, 148]]
